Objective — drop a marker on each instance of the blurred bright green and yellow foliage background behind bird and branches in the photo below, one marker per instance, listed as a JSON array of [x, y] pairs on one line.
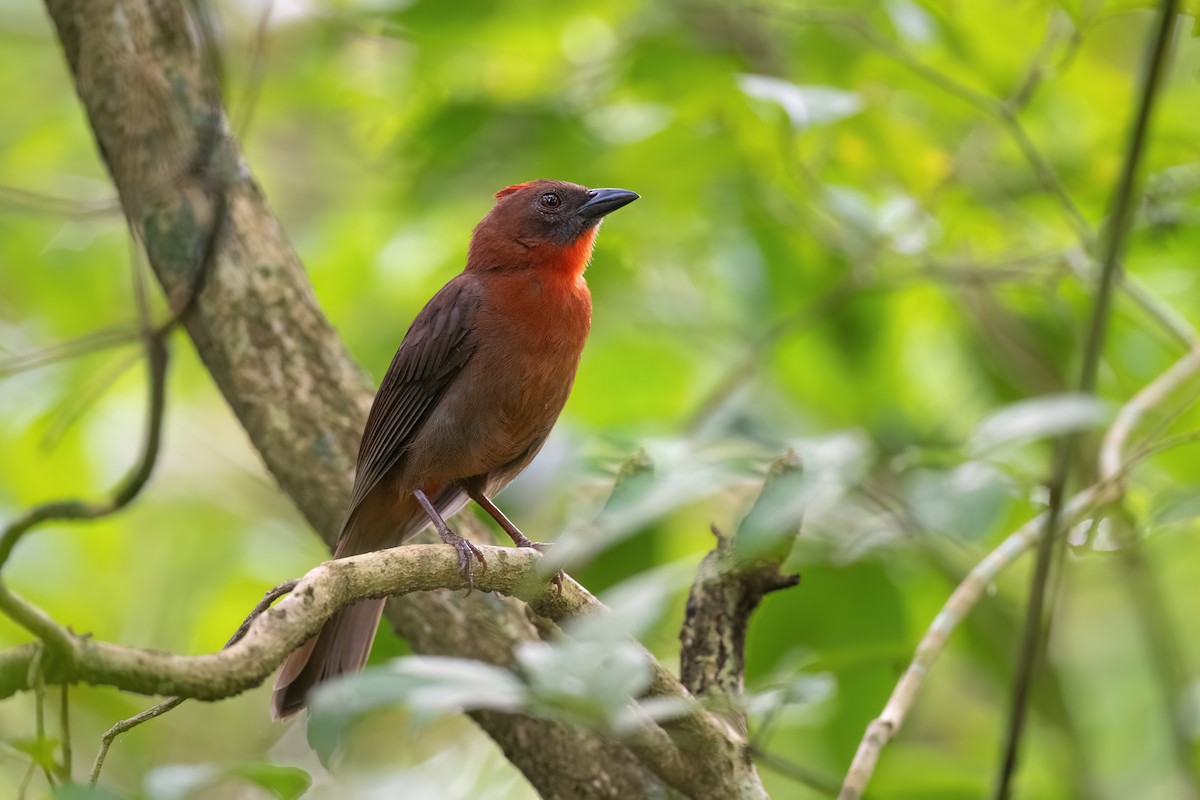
[[839, 249]]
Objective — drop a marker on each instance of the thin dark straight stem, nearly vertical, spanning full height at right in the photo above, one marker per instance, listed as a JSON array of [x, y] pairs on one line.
[[1124, 206]]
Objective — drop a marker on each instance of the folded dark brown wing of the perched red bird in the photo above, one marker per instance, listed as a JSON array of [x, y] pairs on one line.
[[435, 351]]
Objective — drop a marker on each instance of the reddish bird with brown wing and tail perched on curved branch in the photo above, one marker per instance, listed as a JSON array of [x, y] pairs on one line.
[[469, 400]]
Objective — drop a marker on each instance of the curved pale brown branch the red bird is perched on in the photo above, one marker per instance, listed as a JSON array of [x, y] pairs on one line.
[[692, 753]]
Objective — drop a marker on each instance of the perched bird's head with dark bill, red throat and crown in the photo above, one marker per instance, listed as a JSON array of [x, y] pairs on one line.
[[543, 225]]
